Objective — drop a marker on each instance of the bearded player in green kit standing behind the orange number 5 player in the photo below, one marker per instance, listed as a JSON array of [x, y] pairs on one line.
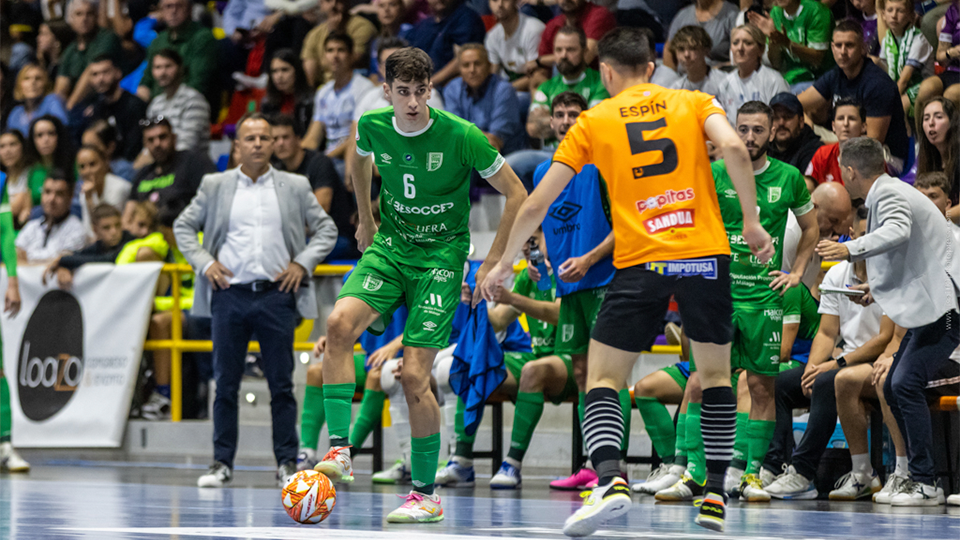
[[757, 291]]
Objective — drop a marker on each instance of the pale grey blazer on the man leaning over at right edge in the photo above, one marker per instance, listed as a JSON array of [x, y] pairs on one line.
[[913, 263]]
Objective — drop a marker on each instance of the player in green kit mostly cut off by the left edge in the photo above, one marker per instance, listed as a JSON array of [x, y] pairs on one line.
[[10, 460]]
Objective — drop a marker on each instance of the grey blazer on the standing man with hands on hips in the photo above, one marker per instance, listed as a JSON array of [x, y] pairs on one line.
[[209, 211]]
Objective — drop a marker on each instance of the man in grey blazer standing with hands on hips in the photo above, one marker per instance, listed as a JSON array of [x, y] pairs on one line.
[[253, 278]]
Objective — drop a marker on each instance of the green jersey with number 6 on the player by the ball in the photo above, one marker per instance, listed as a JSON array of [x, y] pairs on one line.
[[424, 198]]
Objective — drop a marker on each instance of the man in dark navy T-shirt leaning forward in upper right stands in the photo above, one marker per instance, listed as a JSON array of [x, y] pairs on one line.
[[857, 77]]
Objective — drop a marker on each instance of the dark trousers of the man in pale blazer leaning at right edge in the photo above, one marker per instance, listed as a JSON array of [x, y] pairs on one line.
[[922, 353]]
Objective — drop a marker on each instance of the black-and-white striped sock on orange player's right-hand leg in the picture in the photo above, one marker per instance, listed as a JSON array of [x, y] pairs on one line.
[[718, 421]]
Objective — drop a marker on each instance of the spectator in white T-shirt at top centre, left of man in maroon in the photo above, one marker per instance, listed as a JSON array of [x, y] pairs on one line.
[[513, 43]]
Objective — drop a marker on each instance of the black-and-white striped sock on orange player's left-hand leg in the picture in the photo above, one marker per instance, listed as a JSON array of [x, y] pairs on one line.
[[603, 432]]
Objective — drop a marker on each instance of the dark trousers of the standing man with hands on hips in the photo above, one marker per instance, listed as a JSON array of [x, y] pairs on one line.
[[237, 316]]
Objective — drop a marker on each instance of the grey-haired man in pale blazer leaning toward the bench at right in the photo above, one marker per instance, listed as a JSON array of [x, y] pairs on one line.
[[913, 272]]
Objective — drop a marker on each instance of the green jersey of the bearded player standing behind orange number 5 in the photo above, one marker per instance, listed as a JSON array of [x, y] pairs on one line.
[[780, 189]]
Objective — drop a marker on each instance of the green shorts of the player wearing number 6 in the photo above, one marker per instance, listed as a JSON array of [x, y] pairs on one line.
[[430, 294]]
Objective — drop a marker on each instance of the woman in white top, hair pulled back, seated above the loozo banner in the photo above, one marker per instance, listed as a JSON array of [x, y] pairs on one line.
[[99, 185]]
